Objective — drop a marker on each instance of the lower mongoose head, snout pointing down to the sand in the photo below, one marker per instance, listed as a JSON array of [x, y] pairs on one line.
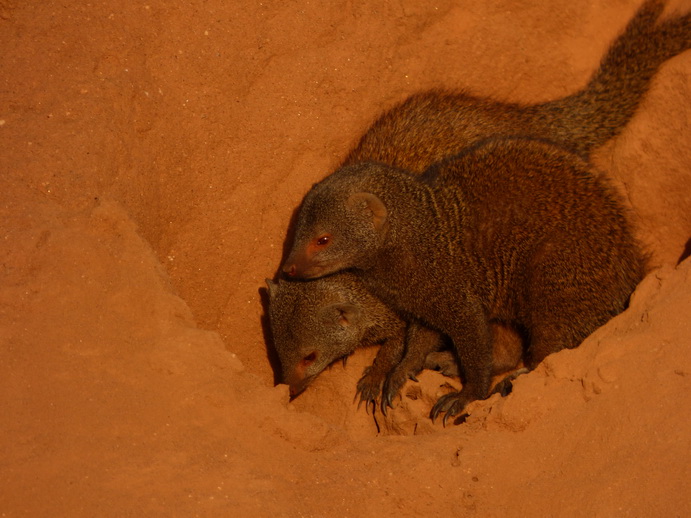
[[313, 324]]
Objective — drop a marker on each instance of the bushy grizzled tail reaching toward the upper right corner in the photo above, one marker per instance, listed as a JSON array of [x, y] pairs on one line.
[[592, 116]]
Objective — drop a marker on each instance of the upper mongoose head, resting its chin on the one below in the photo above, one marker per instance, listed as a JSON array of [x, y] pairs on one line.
[[340, 225]]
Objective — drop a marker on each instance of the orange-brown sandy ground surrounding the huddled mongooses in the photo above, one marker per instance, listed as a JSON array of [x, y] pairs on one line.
[[152, 155]]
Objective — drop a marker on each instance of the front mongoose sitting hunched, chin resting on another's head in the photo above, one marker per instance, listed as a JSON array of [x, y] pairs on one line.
[[512, 230]]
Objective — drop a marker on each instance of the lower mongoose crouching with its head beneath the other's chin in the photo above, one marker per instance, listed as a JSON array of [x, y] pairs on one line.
[[316, 323]]
